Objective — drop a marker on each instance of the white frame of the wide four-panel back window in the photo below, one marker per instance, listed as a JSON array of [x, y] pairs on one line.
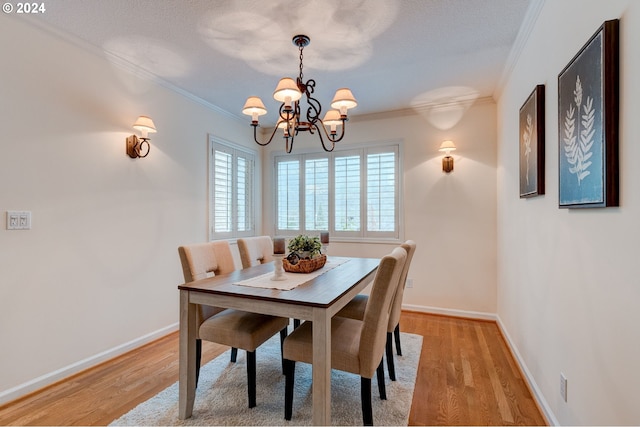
[[363, 235]]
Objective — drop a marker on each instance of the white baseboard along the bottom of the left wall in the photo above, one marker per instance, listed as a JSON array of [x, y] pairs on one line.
[[52, 377]]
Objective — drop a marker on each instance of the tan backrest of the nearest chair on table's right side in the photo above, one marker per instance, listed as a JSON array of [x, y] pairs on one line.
[[376, 315]]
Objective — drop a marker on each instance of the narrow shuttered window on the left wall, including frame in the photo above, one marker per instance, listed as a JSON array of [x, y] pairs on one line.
[[232, 198]]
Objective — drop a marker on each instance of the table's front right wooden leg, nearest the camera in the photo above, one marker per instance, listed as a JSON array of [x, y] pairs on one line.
[[321, 367]]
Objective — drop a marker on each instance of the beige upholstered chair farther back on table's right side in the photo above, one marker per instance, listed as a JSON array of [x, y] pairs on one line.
[[356, 307]]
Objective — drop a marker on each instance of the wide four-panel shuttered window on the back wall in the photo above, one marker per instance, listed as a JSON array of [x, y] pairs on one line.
[[352, 193]]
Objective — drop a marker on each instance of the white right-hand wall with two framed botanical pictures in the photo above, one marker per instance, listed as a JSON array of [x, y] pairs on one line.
[[568, 286]]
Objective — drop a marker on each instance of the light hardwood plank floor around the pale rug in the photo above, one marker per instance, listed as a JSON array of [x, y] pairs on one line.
[[466, 376]]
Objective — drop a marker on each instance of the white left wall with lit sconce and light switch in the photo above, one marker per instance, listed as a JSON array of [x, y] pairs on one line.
[[100, 266]]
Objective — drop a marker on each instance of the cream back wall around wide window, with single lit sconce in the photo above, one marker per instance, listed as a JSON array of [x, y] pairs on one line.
[[452, 217]]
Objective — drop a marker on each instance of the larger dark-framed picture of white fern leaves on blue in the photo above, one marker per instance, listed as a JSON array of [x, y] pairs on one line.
[[588, 89]]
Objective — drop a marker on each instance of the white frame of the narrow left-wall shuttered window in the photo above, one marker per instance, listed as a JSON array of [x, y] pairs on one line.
[[219, 144]]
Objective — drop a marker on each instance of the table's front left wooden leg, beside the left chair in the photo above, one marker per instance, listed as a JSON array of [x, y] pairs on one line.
[[187, 368]]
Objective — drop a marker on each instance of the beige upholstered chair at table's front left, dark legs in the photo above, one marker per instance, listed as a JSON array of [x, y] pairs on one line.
[[235, 328]]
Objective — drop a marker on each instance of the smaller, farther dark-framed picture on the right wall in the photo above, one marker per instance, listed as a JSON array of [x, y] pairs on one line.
[[532, 130]]
